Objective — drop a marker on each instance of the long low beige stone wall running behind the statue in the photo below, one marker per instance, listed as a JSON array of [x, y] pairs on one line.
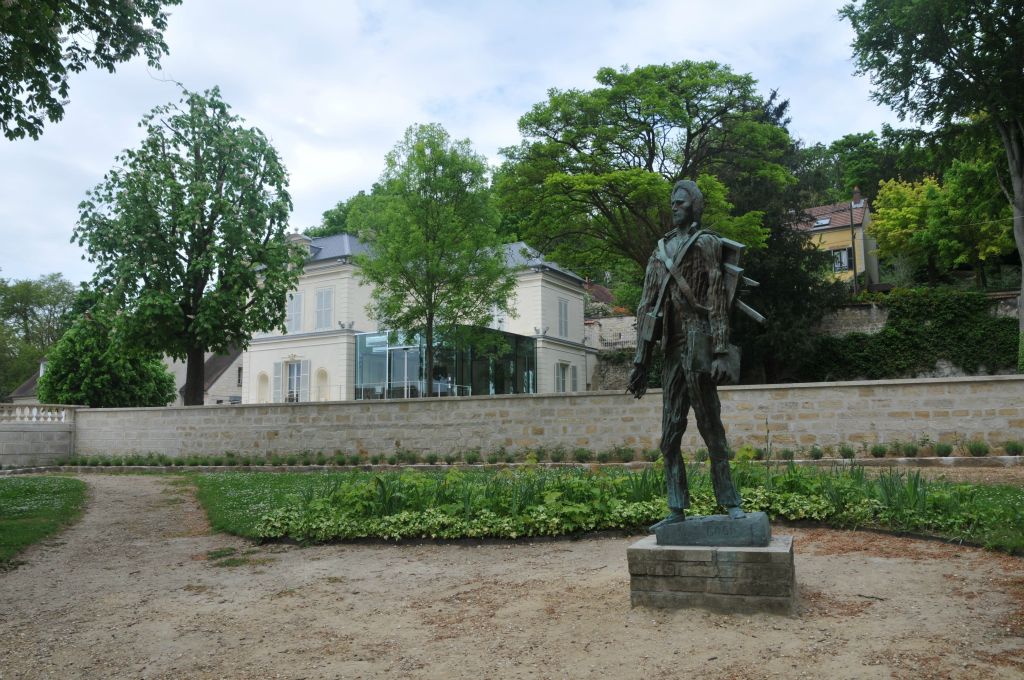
[[799, 415]]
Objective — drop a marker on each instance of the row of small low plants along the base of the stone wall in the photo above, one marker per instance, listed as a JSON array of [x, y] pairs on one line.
[[621, 454]]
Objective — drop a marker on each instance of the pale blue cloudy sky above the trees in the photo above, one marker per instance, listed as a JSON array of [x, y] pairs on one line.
[[335, 84]]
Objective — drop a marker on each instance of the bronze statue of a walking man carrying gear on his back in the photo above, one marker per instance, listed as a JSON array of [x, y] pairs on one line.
[[689, 292]]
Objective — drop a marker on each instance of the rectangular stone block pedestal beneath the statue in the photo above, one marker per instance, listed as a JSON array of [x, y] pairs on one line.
[[723, 579]]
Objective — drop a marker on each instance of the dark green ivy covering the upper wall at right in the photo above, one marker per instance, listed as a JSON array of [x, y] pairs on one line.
[[924, 327]]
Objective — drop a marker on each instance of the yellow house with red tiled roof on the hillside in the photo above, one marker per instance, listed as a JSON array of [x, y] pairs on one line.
[[840, 229]]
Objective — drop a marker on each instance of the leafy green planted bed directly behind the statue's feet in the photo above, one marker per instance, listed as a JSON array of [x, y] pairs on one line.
[[534, 501]]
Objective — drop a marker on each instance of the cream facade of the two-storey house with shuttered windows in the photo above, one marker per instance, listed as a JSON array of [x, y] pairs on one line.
[[316, 360]]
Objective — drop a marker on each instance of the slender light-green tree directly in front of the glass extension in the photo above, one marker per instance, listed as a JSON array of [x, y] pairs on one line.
[[435, 258]]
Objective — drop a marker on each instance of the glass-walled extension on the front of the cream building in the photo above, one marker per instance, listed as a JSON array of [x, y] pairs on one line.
[[395, 371]]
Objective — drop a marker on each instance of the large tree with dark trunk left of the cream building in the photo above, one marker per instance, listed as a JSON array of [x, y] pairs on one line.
[[189, 235]]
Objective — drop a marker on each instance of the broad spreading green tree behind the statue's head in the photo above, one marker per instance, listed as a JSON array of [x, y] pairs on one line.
[[592, 176]]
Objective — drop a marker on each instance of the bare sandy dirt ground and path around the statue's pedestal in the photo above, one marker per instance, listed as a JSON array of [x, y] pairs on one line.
[[131, 592]]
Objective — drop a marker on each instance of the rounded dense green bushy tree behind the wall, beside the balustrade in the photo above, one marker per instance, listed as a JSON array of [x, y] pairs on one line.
[[92, 365]]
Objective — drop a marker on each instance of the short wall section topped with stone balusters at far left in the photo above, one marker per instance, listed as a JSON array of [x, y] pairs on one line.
[[35, 435]]
